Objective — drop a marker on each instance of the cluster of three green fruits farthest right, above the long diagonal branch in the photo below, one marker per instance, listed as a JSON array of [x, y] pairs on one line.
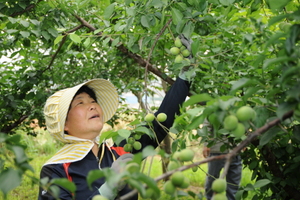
[[236, 123]]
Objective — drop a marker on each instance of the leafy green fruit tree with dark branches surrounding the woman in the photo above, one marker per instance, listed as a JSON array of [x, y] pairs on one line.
[[245, 53]]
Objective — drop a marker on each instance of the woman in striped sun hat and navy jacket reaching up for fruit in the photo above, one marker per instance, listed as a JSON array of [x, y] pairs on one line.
[[75, 116]]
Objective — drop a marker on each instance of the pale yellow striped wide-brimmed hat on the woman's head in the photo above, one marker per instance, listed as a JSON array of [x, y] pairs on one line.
[[57, 105]]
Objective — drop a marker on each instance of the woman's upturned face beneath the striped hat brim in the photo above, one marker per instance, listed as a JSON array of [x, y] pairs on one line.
[[85, 117]]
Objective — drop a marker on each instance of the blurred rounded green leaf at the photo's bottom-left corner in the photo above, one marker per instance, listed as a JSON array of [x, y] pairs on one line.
[[9, 179]]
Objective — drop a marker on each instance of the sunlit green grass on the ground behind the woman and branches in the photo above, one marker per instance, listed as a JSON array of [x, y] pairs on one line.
[[42, 147]]
